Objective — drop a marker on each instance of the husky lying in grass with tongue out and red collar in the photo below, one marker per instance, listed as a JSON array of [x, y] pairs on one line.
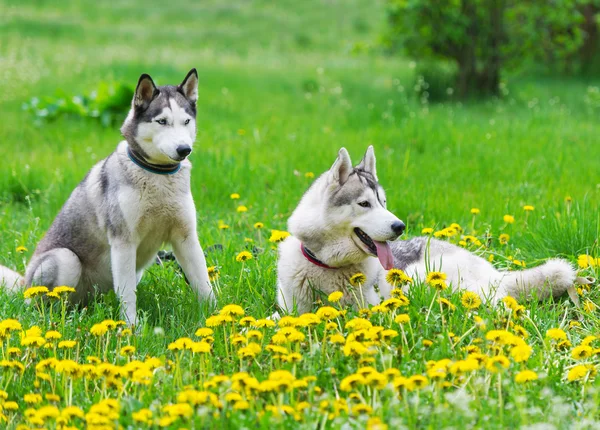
[[342, 227]]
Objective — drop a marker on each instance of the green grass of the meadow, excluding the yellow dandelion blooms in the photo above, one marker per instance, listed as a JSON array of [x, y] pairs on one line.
[[282, 88]]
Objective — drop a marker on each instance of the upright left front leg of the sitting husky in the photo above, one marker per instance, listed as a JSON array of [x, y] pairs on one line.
[[122, 259]]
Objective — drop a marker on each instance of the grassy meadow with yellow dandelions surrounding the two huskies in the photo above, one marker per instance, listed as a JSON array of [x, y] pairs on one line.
[[283, 85]]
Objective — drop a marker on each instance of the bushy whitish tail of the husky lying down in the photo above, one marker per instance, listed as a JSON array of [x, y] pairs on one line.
[[552, 278]]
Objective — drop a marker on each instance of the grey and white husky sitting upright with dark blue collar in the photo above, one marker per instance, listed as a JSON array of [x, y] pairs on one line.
[[137, 198]]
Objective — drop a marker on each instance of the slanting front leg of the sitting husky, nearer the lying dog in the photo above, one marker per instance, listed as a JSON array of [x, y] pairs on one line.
[[190, 256]]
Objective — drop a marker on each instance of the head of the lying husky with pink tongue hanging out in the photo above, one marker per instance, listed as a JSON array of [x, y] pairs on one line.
[[346, 209]]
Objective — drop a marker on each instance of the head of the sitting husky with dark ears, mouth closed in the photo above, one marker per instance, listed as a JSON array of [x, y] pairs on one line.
[[161, 125]]
